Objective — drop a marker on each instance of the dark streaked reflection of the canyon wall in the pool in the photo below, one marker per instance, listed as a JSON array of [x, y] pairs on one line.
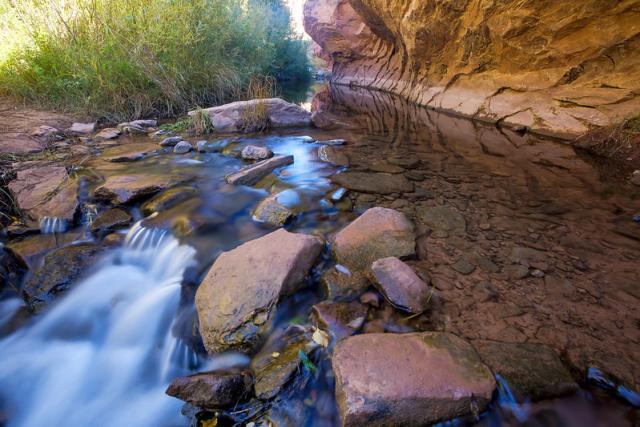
[[407, 126]]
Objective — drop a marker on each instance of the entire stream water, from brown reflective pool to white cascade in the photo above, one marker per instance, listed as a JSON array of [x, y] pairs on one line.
[[104, 352]]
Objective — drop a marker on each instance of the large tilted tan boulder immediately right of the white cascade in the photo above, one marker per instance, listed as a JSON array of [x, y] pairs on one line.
[[237, 298]]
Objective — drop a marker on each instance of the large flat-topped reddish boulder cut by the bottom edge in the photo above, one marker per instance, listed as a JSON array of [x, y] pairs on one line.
[[408, 379]]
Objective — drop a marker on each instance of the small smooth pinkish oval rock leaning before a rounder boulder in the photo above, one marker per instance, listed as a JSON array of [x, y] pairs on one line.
[[400, 285]]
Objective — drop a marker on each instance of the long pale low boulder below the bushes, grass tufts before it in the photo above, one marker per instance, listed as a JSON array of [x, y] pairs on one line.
[[277, 114]]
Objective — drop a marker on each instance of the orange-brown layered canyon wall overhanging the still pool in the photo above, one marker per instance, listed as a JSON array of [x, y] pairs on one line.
[[555, 67]]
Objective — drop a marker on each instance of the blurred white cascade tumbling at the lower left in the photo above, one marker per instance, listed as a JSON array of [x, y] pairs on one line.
[[104, 354]]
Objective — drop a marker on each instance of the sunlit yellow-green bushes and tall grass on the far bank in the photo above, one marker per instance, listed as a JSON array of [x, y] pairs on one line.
[[124, 59]]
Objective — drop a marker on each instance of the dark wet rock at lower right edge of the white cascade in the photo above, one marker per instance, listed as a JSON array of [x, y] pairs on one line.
[[212, 390]]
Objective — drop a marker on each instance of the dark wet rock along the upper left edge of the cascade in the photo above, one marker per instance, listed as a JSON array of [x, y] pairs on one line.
[[61, 268]]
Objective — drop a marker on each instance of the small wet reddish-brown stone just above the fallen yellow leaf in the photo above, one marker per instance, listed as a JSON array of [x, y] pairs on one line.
[[340, 319]]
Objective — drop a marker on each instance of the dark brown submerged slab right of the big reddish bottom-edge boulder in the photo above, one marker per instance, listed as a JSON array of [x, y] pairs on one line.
[[532, 371]]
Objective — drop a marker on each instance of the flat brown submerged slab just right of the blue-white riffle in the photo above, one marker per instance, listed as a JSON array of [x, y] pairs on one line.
[[376, 183]]
